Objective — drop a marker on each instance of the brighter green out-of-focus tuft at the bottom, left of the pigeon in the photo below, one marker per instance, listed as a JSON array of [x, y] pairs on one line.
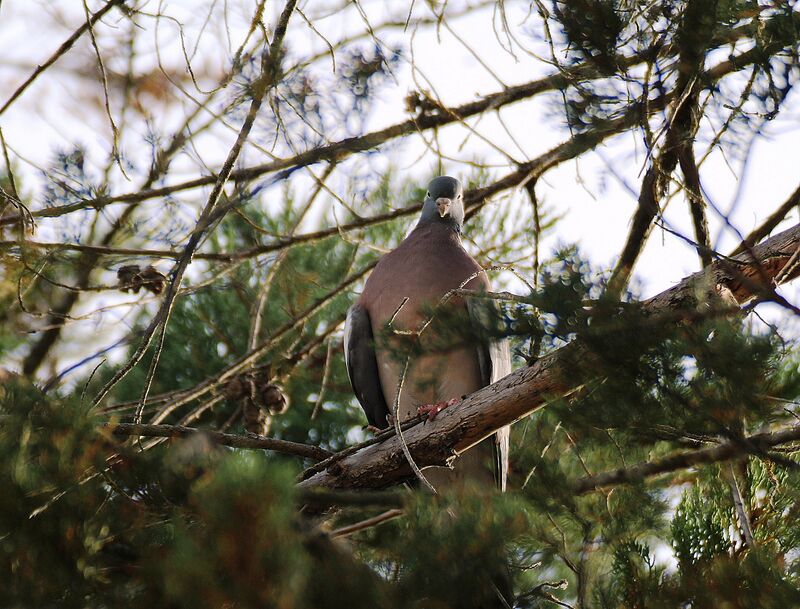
[[234, 541]]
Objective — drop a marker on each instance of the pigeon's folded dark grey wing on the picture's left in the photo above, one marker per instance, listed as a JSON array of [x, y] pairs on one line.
[[362, 365]]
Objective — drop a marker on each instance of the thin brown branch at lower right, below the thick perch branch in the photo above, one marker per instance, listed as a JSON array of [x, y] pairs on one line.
[[723, 452]]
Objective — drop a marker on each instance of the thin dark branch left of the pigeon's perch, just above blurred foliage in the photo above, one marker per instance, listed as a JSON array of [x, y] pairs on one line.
[[251, 441]]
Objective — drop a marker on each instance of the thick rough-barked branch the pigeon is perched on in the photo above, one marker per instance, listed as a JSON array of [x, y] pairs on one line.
[[519, 394]]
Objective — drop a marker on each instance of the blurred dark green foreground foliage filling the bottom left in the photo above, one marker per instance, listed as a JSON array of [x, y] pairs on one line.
[[190, 525]]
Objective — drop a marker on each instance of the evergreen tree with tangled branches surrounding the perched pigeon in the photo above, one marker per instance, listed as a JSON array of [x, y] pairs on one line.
[[200, 449]]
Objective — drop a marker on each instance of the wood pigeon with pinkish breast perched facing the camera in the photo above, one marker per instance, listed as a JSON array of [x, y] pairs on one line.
[[404, 287]]
